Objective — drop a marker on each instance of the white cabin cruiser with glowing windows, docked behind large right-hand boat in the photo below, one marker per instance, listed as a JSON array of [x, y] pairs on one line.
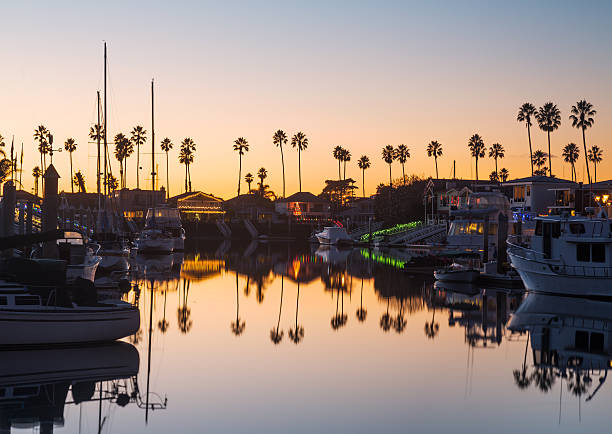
[[466, 229]]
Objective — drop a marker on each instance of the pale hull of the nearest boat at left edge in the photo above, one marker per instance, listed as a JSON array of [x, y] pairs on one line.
[[55, 326]]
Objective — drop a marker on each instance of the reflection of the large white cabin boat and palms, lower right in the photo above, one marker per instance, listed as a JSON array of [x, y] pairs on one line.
[[570, 340]]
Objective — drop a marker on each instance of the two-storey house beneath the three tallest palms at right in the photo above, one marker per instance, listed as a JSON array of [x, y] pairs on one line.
[[536, 195]]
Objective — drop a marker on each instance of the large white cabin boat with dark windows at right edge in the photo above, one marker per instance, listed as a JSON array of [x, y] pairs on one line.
[[568, 254]]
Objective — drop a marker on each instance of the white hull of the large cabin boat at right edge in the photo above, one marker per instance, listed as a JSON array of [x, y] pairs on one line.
[[540, 277]]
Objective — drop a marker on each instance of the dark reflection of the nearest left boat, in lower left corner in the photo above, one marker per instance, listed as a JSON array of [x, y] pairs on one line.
[[35, 384]]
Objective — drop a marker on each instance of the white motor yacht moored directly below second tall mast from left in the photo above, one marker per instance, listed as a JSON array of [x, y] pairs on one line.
[[163, 232]]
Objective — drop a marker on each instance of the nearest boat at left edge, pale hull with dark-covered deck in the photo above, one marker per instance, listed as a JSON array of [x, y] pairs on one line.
[[61, 315]]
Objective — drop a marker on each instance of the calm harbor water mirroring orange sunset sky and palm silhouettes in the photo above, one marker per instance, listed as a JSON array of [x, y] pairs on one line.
[[278, 338]]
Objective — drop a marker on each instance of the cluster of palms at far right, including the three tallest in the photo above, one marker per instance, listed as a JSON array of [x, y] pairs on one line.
[[548, 117]]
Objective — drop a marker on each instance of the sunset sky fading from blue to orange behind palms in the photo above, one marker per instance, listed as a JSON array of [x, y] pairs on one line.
[[357, 74]]
